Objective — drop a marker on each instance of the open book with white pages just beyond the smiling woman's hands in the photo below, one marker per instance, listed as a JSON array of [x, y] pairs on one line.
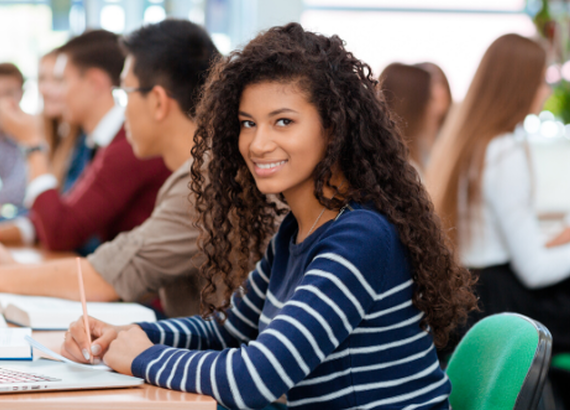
[[43, 313]]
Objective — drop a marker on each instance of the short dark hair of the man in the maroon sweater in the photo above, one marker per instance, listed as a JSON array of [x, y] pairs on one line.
[[96, 49]]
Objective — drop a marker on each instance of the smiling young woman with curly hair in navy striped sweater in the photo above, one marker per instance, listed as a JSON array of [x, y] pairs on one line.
[[344, 306]]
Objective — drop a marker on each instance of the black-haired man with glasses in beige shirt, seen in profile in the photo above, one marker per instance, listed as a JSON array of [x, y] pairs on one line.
[[166, 63]]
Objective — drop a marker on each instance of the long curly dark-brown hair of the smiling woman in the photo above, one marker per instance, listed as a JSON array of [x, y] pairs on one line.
[[364, 144]]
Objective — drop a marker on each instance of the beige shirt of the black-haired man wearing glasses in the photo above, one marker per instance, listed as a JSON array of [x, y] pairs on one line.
[[158, 256]]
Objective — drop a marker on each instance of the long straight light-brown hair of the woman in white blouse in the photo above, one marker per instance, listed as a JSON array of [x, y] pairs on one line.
[[500, 96]]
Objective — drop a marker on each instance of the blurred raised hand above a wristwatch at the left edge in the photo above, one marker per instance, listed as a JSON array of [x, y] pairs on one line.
[[26, 129]]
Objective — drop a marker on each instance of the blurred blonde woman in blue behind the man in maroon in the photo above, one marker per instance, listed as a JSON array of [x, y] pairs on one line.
[[69, 154]]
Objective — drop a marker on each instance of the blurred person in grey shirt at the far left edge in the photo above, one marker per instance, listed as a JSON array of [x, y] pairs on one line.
[[12, 162]]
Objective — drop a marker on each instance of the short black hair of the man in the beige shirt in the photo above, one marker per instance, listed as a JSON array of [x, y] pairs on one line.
[[175, 54]]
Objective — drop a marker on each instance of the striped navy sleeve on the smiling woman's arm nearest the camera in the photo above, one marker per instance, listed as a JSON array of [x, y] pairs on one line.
[[337, 289]]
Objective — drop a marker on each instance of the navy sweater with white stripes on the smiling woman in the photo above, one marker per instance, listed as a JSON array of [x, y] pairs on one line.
[[328, 321]]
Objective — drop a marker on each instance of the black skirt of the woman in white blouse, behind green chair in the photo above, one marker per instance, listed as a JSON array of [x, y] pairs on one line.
[[499, 290]]
